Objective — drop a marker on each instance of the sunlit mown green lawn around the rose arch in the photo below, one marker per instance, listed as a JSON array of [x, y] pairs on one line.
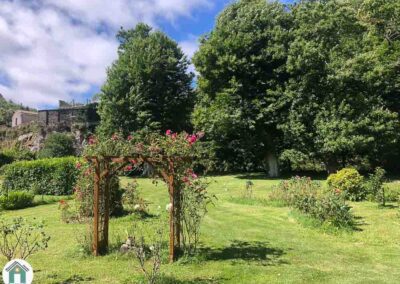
[[242, 242]]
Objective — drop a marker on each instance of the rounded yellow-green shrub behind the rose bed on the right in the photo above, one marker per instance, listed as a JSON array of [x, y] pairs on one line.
[[350, 182]]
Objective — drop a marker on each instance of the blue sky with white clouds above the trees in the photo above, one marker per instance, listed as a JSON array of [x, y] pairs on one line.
[[53, 50]]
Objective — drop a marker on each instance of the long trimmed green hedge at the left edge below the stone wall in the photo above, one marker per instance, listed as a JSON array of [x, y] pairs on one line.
[[55, 176]]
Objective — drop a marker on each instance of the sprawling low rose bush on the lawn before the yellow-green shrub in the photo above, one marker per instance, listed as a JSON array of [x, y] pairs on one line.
[[309, 198]]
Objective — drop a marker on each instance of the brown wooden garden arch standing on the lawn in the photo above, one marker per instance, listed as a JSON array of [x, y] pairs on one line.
[[104, 170]]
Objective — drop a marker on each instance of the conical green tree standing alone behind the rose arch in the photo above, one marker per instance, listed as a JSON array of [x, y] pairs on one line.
[[148, 86]]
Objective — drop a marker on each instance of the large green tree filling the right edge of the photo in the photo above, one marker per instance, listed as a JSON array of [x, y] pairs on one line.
[[342, 95]]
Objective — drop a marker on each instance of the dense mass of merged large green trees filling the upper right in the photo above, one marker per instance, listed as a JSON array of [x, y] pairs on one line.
[[316, 83]]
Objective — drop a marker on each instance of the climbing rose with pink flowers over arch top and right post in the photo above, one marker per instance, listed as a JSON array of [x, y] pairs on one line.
[[163, 156]]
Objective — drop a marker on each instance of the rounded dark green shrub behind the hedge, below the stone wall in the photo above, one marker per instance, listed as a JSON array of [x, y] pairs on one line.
[[57, 145]]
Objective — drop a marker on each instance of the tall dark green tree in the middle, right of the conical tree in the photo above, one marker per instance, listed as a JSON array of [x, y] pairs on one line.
[[242, 69]]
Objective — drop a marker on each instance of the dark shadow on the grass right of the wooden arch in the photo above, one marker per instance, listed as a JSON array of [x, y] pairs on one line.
[[245, 251]]
